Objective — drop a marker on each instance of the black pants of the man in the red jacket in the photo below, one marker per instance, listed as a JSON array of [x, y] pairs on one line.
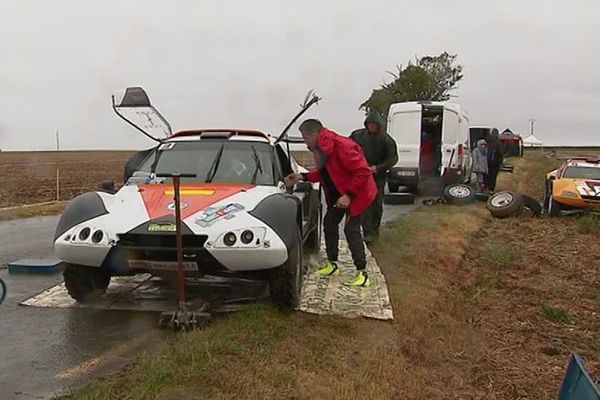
[[331, 228]]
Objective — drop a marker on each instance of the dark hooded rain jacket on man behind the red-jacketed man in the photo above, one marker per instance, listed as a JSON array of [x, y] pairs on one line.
[[379, 148]]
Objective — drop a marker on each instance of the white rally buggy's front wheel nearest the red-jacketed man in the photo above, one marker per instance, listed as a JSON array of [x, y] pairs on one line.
[[286, 281]]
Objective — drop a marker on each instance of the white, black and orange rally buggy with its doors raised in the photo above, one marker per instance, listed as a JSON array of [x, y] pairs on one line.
[[238, 217]]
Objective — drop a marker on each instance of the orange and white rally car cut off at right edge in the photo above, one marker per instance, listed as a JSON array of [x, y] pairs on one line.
[[573, 186]]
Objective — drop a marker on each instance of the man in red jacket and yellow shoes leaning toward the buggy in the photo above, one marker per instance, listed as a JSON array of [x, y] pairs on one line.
[[349, 189]]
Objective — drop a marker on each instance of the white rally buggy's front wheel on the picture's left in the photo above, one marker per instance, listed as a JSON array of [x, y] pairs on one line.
[[85, 283]]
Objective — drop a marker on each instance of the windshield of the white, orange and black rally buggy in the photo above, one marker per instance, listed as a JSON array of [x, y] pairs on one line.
[[239, 162]]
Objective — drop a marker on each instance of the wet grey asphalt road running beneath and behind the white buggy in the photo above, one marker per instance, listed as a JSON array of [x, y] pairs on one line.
[[48, 351]]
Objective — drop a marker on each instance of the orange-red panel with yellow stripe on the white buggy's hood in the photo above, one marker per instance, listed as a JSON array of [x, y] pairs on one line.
[[194, 198]]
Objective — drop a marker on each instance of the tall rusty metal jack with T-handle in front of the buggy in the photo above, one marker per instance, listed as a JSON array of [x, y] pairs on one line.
[[183, 319]]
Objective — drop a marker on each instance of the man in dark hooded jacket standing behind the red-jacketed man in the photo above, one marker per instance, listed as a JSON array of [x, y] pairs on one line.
[[382, 154]]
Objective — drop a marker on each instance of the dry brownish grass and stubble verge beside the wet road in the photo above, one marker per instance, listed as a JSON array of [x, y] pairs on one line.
[[480, 312]]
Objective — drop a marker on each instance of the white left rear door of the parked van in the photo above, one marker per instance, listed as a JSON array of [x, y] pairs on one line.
[[404, 125]]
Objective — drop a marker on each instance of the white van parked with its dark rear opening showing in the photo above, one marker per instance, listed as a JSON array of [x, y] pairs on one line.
[[433, 142]]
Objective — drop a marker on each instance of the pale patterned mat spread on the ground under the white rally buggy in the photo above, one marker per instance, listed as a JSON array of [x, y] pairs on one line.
[[319, 295]]
